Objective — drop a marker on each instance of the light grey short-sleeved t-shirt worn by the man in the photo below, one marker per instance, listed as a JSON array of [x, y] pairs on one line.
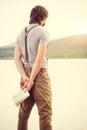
[[37, 35]]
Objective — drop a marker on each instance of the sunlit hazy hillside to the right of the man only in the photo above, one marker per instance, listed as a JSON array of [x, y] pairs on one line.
[[68, 47]]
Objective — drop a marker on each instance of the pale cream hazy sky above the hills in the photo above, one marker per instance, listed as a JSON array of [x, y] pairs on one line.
[[66, 17]]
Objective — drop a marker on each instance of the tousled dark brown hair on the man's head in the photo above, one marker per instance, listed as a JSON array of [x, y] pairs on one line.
[[38, 13]]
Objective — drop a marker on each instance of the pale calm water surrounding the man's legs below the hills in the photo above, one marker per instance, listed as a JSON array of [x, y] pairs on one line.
[[69, 87]]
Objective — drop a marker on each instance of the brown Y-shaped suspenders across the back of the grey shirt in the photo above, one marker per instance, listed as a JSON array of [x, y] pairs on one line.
[[26, 50]]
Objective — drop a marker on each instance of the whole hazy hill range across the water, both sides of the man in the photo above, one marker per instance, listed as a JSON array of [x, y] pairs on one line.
[[68, 47]]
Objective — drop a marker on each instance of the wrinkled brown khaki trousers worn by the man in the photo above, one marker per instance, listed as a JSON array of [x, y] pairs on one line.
[[41, 95]]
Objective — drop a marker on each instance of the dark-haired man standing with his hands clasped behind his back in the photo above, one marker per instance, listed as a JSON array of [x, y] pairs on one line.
[[34, 74]]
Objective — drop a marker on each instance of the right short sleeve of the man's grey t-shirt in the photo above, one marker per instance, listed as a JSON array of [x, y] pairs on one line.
[[44, 37]]
